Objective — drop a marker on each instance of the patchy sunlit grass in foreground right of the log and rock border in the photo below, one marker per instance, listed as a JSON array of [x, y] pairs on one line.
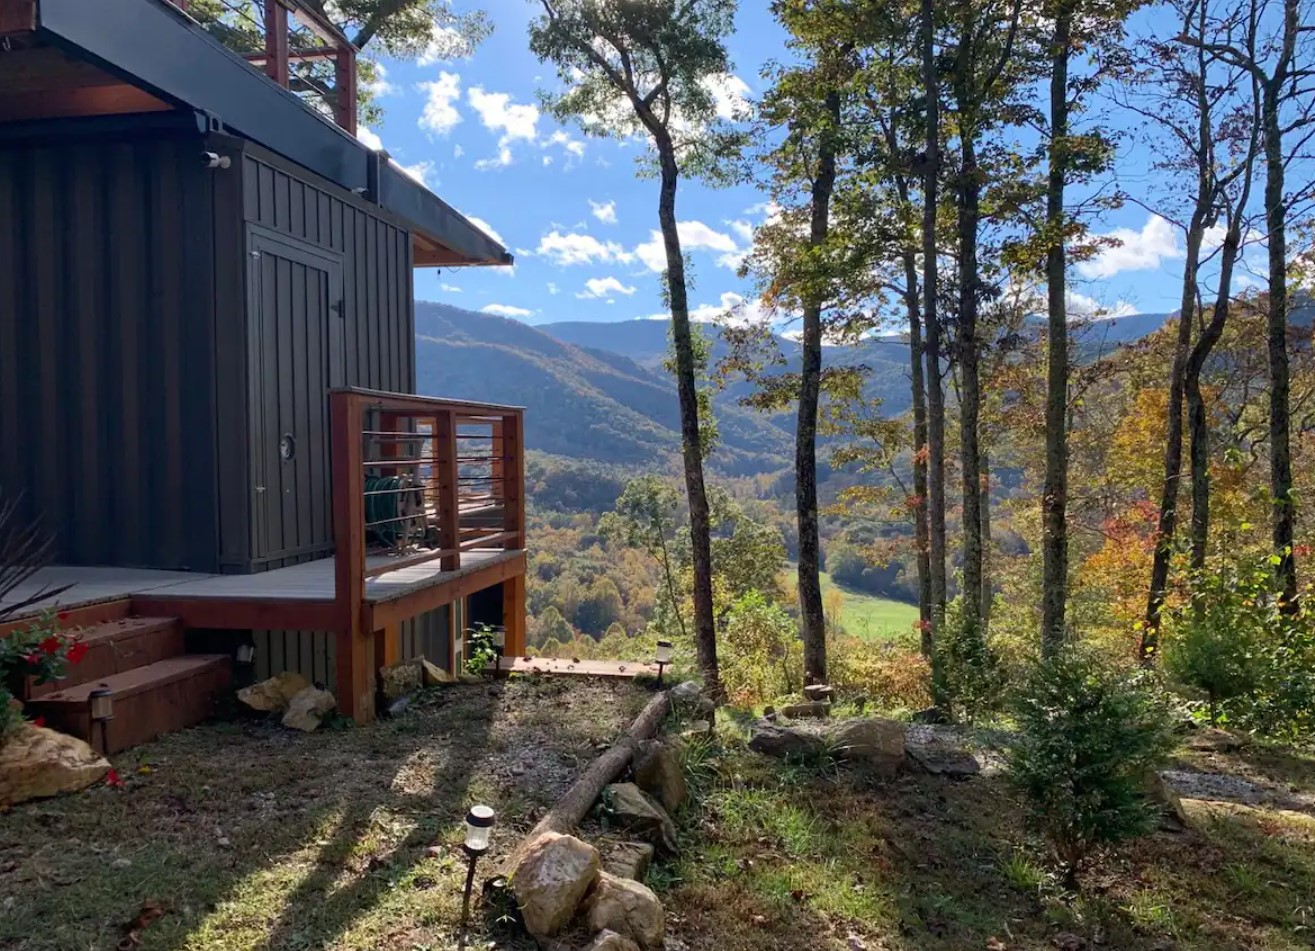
[[786, 860]]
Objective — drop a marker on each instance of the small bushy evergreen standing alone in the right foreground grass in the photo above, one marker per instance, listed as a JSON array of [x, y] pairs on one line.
[[1088, 739]]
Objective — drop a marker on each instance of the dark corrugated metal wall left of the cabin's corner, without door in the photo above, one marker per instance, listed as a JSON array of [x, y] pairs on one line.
[[107, 376]]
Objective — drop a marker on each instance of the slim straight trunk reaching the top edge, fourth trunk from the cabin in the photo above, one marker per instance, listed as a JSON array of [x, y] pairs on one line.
[[932, 323]]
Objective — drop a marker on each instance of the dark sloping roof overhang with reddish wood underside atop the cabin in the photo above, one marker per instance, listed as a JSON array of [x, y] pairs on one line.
[[164, 60]]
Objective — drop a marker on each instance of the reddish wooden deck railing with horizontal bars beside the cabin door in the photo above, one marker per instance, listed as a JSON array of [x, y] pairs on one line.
[[419, 485]]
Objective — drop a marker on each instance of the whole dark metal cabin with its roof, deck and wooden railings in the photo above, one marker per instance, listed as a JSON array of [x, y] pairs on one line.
[[207, 348]]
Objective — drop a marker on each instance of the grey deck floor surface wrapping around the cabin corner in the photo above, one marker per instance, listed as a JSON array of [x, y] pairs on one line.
[[312, 582]]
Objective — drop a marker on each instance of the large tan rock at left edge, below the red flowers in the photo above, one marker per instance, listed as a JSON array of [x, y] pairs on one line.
[[36, 762]]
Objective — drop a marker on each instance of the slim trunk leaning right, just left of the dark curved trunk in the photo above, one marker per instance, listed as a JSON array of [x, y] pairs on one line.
[[1168, 520]]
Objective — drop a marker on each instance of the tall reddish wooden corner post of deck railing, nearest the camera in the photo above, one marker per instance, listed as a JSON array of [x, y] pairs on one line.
[[354, 662]]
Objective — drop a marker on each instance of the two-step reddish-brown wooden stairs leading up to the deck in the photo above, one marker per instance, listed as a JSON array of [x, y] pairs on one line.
[[157, 687]]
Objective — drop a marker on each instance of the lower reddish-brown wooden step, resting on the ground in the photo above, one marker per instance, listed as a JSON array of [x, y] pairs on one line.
[[160, 698]]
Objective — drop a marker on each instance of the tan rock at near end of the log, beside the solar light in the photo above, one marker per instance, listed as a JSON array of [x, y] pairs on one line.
[[550, 881]]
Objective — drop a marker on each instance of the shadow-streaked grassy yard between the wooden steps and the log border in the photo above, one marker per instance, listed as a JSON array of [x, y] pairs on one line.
[[252, 837]]
